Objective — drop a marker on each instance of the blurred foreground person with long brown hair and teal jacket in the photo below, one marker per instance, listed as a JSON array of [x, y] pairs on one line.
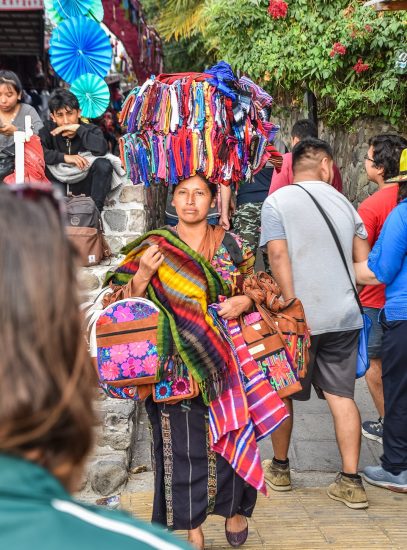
[[47, 388]]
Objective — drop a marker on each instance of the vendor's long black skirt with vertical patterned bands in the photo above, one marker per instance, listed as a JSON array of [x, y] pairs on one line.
[[191, 481]]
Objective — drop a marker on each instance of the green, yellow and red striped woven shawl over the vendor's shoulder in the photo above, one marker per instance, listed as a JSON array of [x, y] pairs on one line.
[[183, 287]]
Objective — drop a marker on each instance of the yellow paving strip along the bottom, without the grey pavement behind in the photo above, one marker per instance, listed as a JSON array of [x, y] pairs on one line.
[[306, 518]]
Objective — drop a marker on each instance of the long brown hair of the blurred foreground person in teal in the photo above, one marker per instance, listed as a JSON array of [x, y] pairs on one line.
[[47, 380]]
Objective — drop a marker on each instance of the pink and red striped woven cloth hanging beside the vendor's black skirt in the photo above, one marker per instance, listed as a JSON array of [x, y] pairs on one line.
[[247, 412]]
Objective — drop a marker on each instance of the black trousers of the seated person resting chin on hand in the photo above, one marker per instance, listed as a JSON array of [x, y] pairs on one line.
[[96, 184]]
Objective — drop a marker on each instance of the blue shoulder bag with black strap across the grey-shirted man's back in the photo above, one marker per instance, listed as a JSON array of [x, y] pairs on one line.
[[363, 362]]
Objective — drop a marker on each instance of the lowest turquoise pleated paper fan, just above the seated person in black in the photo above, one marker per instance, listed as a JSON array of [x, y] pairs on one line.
[[92, 93]]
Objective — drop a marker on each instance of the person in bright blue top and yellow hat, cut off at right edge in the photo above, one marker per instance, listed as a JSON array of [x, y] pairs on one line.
[[387, 264]]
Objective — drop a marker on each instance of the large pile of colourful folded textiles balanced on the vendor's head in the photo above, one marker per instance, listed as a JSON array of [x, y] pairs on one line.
[[209, 123]]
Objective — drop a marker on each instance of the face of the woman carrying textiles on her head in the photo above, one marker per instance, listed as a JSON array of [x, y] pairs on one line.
[[192, 200]]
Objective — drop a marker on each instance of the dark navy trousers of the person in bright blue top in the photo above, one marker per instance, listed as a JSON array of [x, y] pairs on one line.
[[394, 374]]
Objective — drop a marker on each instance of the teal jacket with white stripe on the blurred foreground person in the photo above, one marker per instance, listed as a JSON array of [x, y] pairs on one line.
[[37, 513]]
